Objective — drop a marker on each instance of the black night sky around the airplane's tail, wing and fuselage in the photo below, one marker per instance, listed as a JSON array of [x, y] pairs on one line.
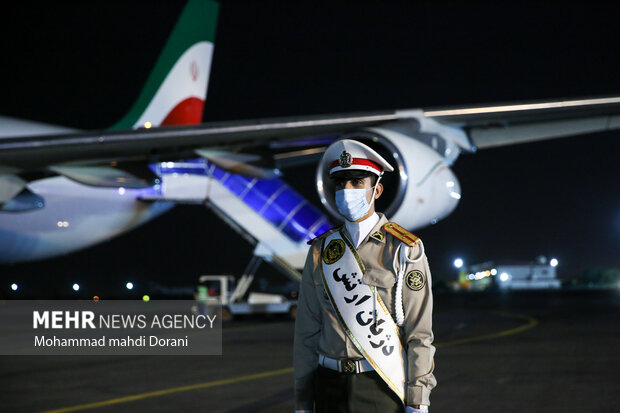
[[82, 64]]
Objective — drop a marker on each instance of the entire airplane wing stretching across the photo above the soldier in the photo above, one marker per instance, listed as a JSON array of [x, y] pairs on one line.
[[486, 126]]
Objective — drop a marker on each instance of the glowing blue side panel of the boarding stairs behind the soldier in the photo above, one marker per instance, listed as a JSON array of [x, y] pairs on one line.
[[272, 198]]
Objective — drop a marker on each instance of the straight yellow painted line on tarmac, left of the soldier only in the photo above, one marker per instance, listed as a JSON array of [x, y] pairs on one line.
[[171, 390]]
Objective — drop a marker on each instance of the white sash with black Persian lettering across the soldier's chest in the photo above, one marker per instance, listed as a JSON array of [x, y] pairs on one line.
[[374, 334]]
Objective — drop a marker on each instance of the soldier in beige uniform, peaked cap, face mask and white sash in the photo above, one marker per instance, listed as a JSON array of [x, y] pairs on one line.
[[363, 335]]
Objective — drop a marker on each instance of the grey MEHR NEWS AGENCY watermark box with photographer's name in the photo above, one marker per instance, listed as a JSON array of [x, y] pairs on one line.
[[178, 327]]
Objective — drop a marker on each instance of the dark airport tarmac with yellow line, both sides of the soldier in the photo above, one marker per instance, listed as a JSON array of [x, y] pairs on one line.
[[546, 351]]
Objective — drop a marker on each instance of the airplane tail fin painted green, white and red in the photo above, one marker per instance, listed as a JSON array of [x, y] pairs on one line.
[[176, 89]]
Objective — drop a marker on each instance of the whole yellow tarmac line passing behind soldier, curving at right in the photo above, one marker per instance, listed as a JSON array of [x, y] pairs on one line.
[[531, 322]]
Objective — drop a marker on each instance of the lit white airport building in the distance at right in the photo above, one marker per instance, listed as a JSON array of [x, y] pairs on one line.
[[538, 275]]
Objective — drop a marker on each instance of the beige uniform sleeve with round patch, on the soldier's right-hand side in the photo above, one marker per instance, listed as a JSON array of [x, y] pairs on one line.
[[418, 306]]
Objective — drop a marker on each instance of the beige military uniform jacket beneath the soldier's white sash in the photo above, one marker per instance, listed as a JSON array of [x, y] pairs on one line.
[[317, 330]]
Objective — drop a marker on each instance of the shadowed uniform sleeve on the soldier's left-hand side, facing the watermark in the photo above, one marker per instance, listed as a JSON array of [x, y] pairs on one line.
[[307, 329]]
